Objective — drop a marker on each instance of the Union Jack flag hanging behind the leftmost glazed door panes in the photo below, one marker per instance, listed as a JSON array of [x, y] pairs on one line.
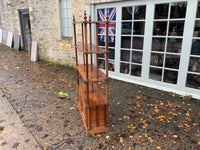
[[111, 26]]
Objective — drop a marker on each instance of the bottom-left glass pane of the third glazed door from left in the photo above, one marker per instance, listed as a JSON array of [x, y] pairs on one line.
[[155, 74]]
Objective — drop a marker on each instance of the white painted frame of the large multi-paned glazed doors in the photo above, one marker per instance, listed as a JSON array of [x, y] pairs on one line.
[[180, 87]]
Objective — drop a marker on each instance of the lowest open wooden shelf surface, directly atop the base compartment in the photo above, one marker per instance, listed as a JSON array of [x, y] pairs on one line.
[[96, 97]]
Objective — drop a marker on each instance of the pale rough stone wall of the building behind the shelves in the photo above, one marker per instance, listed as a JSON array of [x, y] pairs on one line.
[[45, 24]]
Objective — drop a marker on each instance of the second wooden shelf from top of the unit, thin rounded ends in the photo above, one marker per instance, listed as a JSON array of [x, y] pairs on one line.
[[91, 49]]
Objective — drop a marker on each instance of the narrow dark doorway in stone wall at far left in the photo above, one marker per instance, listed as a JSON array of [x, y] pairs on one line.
[[25, 27]]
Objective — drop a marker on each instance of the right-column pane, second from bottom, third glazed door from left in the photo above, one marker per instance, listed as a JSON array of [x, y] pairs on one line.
[[172, 61]]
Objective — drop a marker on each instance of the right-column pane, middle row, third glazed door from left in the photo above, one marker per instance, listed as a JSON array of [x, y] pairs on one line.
[[174, 45]]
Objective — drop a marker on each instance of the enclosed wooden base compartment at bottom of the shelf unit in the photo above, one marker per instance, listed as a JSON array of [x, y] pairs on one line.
[[95, 118]]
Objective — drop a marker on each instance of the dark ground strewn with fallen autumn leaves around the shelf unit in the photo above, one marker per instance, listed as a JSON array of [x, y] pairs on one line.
[[140, 118]]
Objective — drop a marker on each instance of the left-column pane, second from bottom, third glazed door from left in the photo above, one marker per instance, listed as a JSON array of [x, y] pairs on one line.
[[157, 59]]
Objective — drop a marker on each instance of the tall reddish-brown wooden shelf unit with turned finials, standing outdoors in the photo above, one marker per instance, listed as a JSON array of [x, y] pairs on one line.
[[92, 102]]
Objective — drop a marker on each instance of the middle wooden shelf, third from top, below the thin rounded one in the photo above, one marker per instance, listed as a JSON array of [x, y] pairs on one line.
[[92, 73]]
